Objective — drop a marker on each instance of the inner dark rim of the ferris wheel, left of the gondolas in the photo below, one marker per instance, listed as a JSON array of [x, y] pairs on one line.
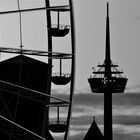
[[45, 132]]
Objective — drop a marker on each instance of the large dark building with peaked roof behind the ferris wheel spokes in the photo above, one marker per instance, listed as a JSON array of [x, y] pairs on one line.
[[27, 72]]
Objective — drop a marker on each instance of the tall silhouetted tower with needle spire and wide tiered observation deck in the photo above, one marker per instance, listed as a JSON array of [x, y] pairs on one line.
[[107, 80]]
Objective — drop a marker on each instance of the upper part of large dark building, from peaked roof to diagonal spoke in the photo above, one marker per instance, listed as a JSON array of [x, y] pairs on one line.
[[25, 71]]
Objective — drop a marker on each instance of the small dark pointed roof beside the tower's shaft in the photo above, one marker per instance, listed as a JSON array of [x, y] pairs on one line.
[[94, 133]]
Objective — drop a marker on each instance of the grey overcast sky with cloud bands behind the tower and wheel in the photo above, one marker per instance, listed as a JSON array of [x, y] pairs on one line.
[[90, 18]]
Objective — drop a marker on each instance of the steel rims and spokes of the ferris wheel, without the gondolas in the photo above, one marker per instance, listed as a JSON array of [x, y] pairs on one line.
[[21, 133]]
